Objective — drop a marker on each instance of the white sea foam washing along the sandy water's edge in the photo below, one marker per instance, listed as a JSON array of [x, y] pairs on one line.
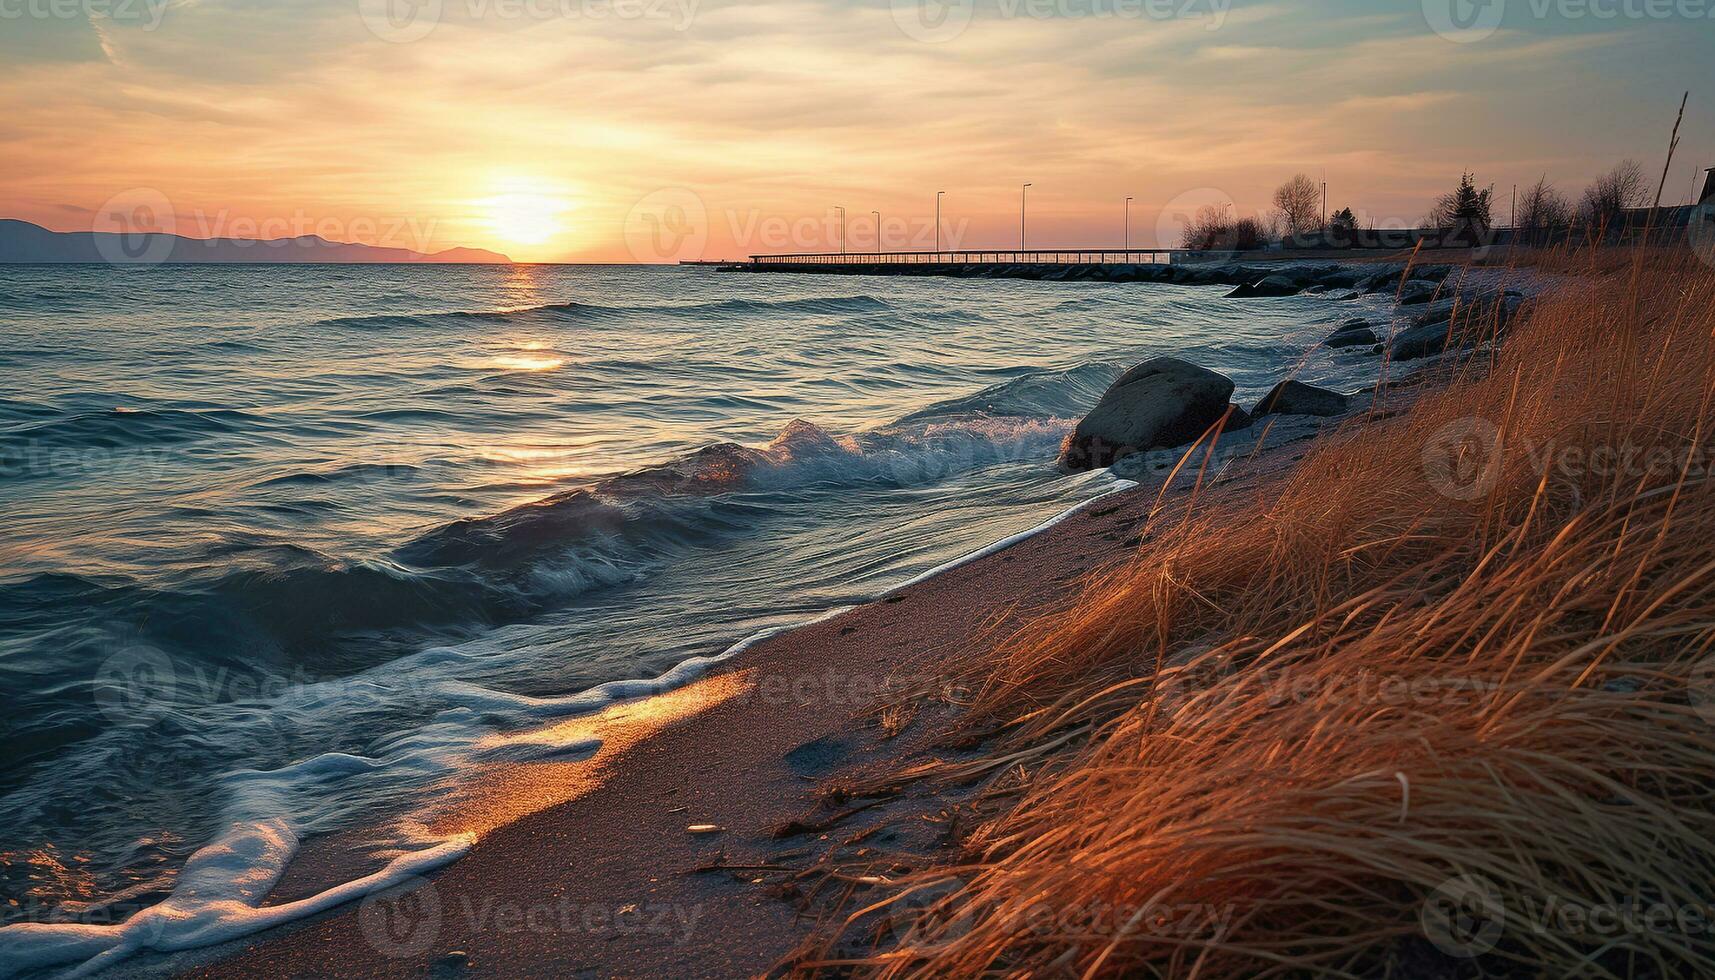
[[222, 886]]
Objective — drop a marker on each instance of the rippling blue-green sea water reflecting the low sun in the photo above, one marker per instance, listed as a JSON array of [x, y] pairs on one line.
[[282, 543]]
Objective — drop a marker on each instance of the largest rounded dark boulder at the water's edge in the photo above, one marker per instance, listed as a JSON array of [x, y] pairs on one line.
[[1162, 402]]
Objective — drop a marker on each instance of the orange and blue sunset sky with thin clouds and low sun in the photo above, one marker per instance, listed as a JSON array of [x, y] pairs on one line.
[[707, 130]]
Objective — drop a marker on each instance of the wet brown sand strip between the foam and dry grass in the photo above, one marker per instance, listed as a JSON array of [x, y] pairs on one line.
[[743, 749]]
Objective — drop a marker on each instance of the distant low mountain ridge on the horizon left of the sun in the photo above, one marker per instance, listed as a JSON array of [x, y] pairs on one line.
[[25, 243]]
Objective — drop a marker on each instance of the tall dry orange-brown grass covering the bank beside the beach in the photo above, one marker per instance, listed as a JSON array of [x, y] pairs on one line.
[[1429, 705]]
